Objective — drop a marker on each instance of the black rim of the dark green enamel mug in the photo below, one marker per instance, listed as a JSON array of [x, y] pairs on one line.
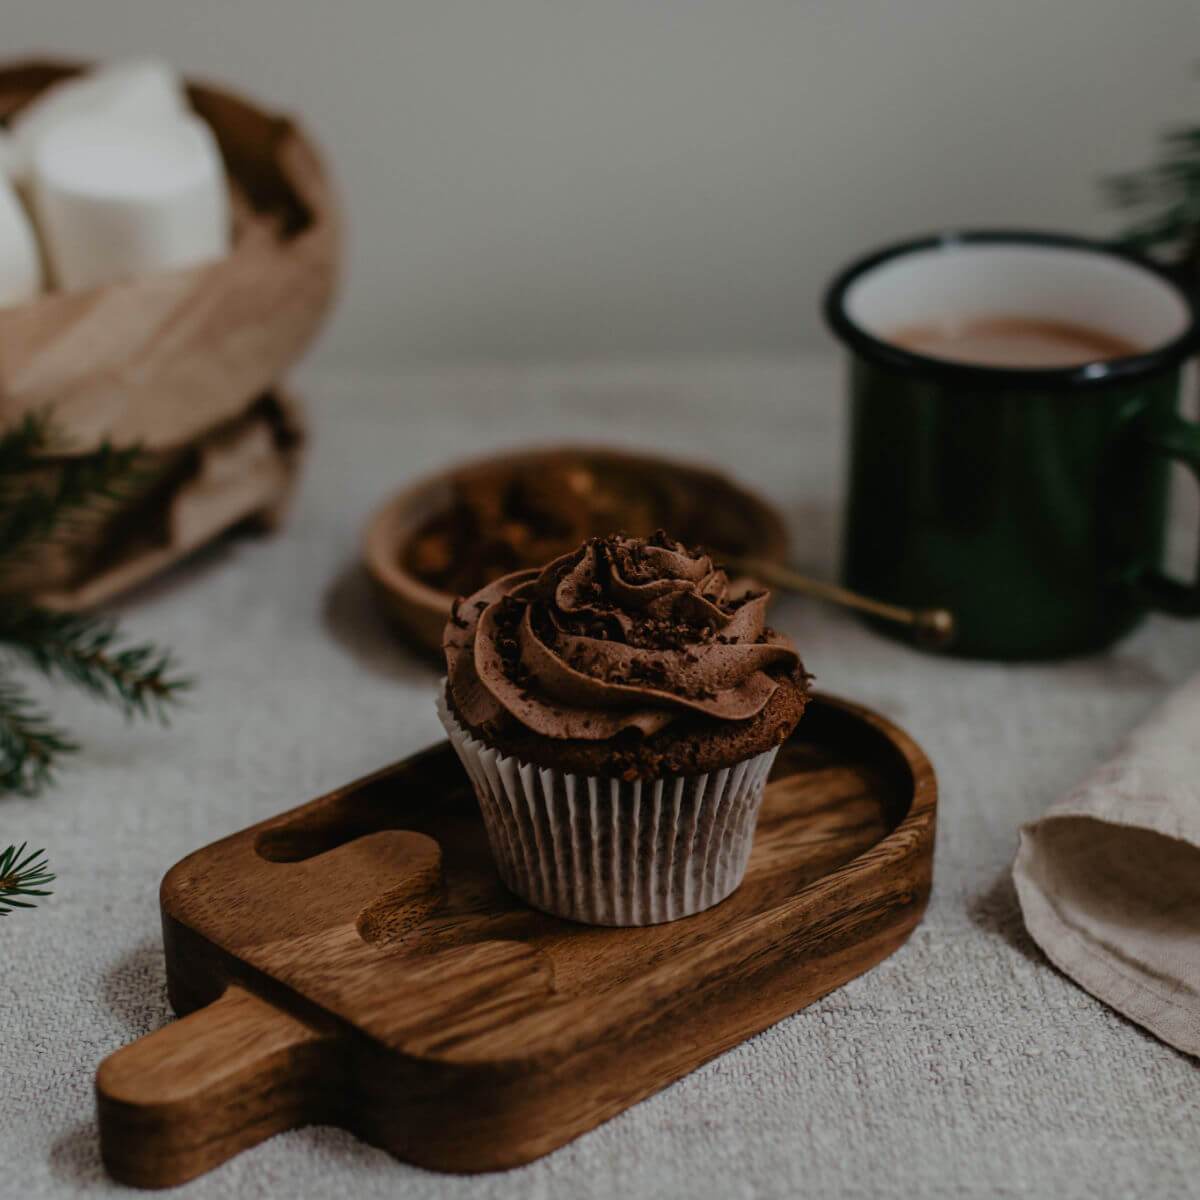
[[896, 358]]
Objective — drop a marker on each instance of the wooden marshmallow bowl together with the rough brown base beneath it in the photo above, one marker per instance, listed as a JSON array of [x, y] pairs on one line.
[[181, 362]]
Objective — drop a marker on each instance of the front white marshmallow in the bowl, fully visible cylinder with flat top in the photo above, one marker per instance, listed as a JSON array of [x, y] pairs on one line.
[[115, 202]]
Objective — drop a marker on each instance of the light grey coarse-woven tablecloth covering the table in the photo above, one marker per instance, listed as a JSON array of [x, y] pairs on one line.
[[964, 1066]]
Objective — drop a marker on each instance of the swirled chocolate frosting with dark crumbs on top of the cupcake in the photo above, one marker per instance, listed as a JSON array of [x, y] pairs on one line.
[[622, 634]]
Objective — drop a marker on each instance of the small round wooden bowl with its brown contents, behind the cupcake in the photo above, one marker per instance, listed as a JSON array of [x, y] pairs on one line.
[[457, 530]]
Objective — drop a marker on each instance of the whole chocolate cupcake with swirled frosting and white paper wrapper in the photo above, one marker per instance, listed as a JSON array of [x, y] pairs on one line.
[[619, 713]]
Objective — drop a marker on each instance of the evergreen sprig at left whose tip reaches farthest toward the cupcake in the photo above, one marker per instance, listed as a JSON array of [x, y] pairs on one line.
[[89, 652]]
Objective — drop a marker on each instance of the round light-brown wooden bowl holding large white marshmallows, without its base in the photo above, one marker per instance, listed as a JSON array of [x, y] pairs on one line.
[[165, 358]]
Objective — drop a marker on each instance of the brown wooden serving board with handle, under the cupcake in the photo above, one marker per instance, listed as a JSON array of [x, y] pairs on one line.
[[357, 962]]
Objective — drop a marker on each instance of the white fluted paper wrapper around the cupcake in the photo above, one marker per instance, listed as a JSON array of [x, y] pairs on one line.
[[609, 851]]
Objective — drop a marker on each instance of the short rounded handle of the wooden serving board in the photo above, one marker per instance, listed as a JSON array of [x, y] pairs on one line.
[[185, 1099]]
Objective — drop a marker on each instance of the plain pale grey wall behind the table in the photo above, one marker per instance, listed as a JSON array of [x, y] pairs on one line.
[[531, 179]]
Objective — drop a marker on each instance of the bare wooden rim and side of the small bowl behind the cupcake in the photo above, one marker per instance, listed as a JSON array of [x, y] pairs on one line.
[[746, 524]]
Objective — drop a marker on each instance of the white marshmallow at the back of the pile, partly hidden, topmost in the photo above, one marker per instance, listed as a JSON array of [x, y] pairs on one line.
[[137, 92]]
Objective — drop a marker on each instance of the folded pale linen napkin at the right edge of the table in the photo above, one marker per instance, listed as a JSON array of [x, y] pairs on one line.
[[1109, 879]]
